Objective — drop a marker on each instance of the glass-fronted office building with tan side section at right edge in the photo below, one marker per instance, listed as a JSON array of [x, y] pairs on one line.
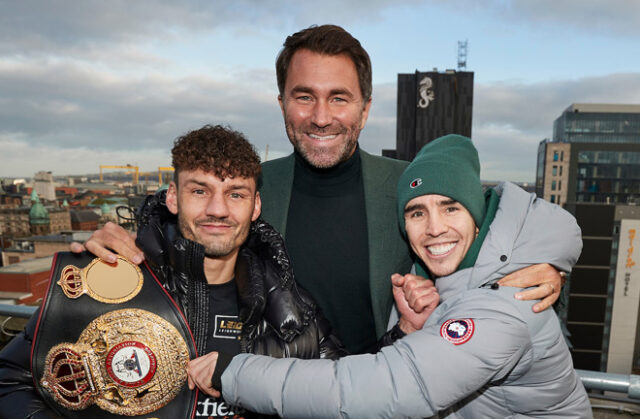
[[597, 146]]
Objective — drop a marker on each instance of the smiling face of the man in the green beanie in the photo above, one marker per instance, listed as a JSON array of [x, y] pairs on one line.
[[440, 231]]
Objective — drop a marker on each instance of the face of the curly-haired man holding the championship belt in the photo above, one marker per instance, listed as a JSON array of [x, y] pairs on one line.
[[214, 212]]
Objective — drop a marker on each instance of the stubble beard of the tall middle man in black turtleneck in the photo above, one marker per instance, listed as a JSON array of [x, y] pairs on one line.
[[324, 158]]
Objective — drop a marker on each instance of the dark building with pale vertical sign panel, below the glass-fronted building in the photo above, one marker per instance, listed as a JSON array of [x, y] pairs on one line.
[[604, 290]]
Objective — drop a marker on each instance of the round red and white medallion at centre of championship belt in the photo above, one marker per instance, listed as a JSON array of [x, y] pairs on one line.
[[131, 364]]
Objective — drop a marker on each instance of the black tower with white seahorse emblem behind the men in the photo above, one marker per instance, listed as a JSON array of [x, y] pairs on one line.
[[430, 105]]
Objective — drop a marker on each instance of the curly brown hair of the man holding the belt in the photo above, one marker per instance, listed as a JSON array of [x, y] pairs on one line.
[[216, 149]]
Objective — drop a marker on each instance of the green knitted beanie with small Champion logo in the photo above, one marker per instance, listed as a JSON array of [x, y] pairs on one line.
[[447, 166]]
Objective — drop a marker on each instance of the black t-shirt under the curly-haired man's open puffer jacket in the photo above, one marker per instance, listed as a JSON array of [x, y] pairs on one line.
[[223, 336]]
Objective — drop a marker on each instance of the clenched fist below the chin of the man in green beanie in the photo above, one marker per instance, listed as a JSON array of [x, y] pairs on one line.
[[416, 298]]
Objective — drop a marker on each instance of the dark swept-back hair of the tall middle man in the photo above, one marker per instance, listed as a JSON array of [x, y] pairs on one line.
[[328, 40]]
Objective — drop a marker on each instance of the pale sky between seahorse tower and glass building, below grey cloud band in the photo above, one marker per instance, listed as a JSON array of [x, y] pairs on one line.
[[510, 119]]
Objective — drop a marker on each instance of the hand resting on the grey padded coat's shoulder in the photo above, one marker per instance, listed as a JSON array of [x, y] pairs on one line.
[[547, 280]]
